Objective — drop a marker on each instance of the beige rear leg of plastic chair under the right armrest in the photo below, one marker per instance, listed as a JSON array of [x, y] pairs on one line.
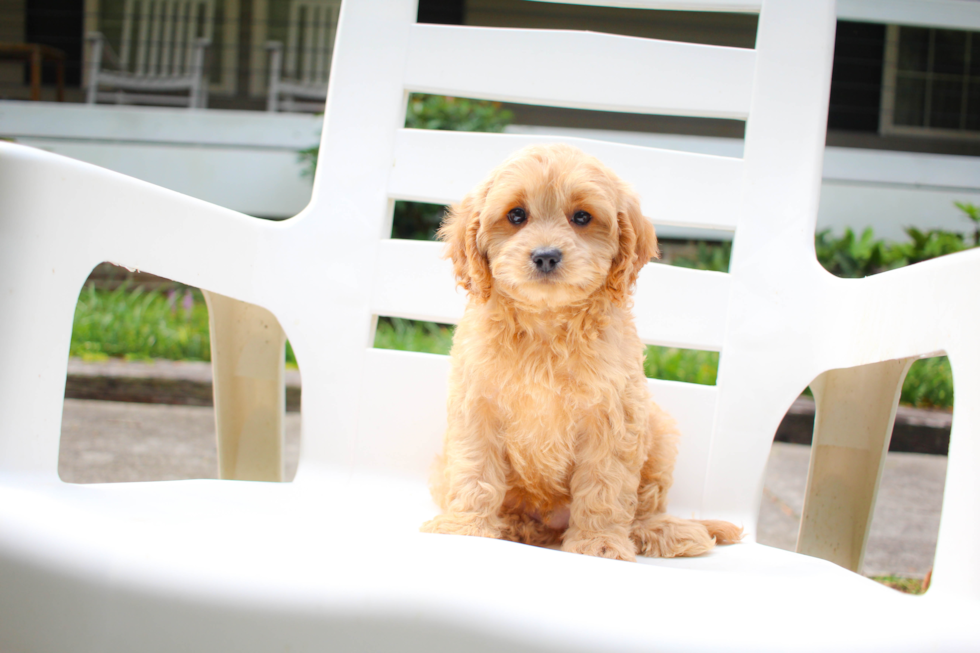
[[855, 414]]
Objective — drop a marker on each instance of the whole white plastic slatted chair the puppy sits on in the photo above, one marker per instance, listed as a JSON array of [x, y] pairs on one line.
[[334, 560]]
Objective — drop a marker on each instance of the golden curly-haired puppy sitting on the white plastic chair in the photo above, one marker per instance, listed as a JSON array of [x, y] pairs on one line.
[[553, 437]]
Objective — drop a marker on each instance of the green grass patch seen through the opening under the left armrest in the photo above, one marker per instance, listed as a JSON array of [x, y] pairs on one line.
[[136, 324]]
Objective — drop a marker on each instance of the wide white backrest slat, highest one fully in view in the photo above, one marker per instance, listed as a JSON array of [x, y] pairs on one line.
[[584, 70]]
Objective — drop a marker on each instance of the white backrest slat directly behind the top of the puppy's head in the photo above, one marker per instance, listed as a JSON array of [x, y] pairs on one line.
[[429, 167]]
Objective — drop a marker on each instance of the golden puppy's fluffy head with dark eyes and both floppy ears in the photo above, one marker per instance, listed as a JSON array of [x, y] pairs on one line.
[[549, 227]]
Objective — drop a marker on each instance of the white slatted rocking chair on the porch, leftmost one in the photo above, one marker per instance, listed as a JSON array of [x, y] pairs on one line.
[[163, 53]]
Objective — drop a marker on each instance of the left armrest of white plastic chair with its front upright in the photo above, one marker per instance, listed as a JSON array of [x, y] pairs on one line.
[[58, 219]]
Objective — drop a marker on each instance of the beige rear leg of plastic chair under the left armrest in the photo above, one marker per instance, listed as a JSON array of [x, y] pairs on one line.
[[248, 365]]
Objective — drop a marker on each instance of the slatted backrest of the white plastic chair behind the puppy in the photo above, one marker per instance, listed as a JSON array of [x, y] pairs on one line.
[[674, 306]]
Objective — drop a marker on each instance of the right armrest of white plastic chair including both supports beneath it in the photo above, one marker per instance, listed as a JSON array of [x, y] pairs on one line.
[[875, 329]]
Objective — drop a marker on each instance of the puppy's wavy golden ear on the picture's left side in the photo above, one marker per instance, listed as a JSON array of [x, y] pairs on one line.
[[459, 229]]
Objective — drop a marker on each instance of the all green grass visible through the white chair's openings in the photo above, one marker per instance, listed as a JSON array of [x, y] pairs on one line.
[[137, 324]]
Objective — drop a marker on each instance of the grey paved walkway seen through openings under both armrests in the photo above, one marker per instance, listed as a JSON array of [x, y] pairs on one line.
[[104, 441]]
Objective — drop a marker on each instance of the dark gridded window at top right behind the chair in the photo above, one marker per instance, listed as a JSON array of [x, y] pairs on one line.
[[931, 82]]
